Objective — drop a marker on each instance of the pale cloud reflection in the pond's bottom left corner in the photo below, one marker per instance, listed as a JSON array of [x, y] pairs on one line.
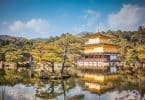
[[16, 93]]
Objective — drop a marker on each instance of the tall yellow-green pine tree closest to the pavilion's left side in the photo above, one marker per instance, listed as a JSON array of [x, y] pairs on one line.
[[71, 47]]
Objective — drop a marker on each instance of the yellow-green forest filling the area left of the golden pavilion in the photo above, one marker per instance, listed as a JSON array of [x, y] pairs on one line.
[[64, 50]]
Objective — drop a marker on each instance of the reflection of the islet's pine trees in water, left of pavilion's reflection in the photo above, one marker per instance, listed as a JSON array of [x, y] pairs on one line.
[[57, 88]]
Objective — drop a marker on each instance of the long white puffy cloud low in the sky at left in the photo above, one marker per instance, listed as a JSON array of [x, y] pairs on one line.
[[31, 26]]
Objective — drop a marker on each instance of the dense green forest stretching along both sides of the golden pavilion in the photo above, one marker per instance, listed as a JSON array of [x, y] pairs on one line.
[[67, 49]]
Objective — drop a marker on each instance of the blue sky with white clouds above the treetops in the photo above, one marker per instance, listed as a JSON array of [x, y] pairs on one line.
[[44, 18]]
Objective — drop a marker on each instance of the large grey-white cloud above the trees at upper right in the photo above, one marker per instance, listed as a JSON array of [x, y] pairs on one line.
[[128, 18]]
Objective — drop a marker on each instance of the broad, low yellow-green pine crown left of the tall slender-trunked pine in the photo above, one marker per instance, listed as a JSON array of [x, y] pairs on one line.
[[43, 52]]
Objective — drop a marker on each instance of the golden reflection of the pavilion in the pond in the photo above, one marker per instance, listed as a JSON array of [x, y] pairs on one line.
[[98, 83]]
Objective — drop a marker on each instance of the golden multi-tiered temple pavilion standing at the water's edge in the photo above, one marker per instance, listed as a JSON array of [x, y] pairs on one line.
[[99, 53]]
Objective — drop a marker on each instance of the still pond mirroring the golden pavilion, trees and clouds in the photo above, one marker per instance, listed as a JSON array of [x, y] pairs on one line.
[[100, 87]]
